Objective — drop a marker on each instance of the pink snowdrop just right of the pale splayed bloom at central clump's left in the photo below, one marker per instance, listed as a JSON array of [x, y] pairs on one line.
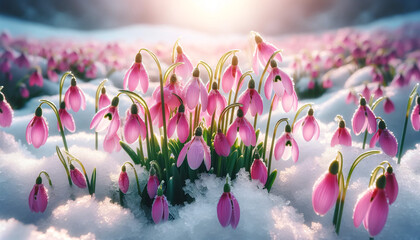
[[134, 126]]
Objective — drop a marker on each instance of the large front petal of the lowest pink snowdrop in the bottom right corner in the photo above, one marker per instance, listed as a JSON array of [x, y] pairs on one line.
[[377, 213]]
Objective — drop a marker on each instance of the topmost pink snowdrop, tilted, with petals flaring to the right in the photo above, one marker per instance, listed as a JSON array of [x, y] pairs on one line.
[[262, 53]]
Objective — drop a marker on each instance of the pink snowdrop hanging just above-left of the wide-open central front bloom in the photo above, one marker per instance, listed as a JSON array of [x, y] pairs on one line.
[[180, 122]]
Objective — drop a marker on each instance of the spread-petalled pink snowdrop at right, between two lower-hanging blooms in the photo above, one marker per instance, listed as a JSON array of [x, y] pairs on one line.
[[363, 119]]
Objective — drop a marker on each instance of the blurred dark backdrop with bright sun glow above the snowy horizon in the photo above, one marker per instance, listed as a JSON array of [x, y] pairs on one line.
[[214, 16]]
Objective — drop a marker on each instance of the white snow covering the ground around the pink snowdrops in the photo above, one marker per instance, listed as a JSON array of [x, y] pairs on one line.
[[284, 213]]
